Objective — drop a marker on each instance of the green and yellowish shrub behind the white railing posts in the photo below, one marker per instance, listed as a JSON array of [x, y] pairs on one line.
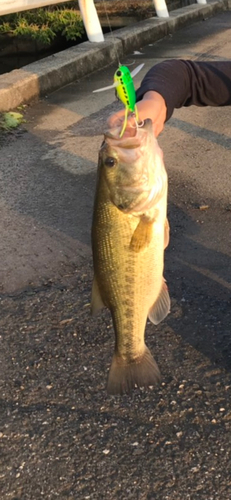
[[44, 24]]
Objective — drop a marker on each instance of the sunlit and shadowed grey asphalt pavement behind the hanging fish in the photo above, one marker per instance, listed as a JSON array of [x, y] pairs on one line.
[[61, 436]]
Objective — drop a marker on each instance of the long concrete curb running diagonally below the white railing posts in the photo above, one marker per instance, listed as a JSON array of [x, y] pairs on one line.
[[53, 72]]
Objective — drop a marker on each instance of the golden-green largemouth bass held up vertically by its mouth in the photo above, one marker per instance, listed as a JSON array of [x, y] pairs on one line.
[[129, 234]]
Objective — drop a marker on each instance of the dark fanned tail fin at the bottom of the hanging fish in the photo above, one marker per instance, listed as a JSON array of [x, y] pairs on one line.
[[123, 377]]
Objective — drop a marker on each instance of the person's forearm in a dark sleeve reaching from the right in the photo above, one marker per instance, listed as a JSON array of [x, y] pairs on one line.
[[183, 83]]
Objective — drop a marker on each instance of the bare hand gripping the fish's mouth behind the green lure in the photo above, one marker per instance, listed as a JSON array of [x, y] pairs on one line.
[[152, 106]]
